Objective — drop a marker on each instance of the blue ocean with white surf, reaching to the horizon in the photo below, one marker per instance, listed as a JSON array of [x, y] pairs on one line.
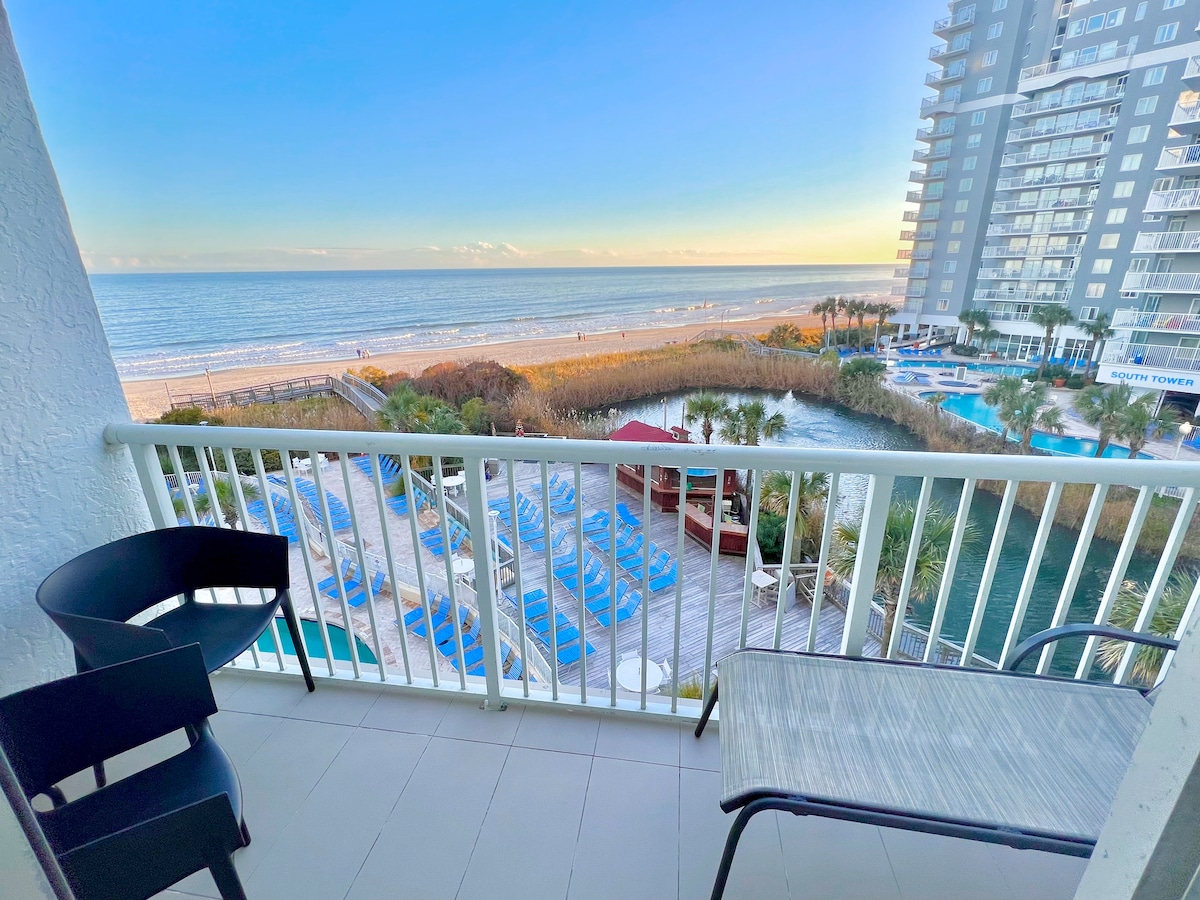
[[179, 325]]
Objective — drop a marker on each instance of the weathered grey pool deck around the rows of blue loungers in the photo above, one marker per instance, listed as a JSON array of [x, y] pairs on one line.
[[661, 609]]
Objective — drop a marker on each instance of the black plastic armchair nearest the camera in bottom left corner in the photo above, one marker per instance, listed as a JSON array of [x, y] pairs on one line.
[[142, 835]]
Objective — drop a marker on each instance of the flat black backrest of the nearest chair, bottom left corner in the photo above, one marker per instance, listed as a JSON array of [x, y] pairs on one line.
[[56, 730]]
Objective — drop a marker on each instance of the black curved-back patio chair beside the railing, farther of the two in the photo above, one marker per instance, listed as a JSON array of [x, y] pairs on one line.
[[94, 597]]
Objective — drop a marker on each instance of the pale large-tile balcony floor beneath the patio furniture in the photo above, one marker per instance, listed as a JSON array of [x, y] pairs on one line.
[[357, 793]]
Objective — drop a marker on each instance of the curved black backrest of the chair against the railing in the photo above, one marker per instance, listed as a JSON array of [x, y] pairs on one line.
[[129, 577]]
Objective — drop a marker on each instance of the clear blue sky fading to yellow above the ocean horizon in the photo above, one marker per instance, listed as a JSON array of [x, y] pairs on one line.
[[220, 136]]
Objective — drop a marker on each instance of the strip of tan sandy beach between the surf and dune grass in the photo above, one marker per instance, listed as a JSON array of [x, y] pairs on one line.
[[149, 399]]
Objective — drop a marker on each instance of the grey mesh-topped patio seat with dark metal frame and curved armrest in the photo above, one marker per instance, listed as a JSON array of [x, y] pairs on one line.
[[999, 757]]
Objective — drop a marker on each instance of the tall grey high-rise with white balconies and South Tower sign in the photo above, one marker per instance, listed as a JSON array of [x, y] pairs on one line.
[[1061, 167]]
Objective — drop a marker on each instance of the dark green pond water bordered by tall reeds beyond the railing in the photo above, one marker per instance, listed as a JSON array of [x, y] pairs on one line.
[[825, 425]]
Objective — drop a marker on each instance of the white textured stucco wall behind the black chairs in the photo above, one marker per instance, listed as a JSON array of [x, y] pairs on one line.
[[62, 491]]
